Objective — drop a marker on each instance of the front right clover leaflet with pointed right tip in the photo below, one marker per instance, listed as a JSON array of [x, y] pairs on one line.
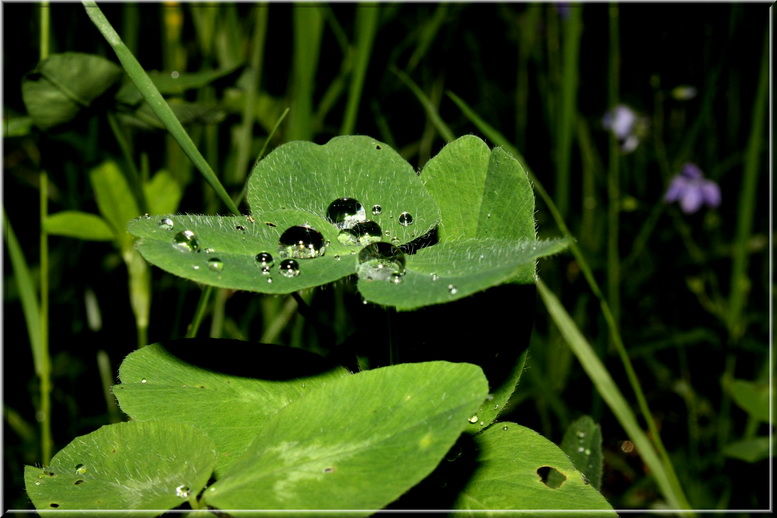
[[456, 269]]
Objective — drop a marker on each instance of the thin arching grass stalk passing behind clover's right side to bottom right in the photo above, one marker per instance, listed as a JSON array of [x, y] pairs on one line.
[[500, 140]]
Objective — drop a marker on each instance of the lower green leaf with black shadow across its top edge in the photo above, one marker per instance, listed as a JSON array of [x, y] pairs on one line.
[[227, 400]]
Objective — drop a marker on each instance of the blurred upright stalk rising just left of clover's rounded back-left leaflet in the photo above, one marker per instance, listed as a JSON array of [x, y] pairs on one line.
[[249, 111]]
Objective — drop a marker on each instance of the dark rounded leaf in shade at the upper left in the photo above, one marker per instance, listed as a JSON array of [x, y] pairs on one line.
[[64, 84]]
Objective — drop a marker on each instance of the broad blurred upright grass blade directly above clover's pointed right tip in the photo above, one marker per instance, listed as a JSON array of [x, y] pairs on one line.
[[572, 30]]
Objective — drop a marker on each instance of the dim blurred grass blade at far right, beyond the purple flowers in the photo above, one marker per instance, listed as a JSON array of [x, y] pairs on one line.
[[747, 204]]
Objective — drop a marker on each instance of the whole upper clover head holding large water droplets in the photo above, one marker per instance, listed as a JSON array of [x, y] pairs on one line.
[[355, 206]]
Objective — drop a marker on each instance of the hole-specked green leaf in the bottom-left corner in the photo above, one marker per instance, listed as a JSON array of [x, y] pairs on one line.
[[126, 468]]
